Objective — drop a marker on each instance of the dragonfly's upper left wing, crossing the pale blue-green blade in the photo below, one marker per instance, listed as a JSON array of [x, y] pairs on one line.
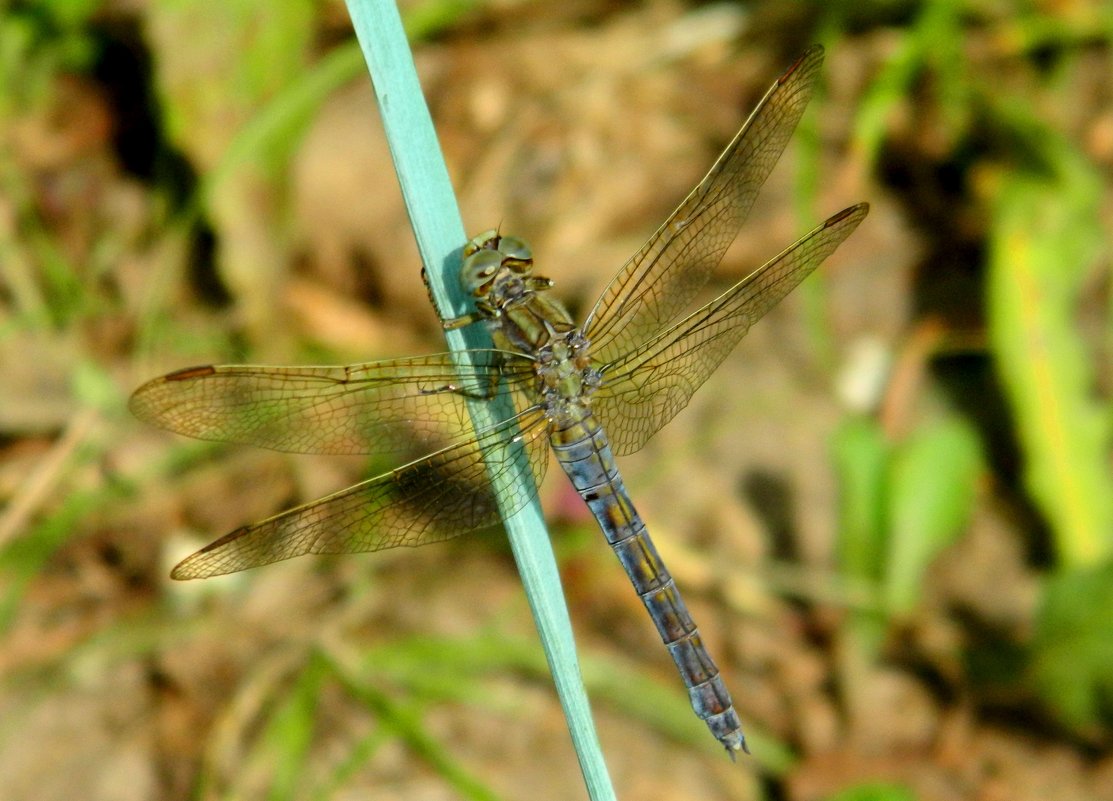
[[408, 406]]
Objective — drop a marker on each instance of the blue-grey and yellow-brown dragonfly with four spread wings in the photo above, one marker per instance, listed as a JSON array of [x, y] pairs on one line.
[[586, 393]]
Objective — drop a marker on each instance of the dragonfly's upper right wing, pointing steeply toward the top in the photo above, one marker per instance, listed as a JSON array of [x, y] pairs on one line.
[[665, 275]]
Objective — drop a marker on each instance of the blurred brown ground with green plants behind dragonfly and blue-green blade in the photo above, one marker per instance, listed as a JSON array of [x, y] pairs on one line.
[[891, 510]]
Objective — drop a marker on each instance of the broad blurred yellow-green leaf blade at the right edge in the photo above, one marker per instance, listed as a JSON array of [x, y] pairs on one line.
[[1042, 244]]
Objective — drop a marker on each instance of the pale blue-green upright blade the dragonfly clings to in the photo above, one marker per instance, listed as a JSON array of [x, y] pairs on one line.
[[440, 235]]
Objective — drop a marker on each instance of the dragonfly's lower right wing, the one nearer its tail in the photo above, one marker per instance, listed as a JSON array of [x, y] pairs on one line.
[[647, 388]]
